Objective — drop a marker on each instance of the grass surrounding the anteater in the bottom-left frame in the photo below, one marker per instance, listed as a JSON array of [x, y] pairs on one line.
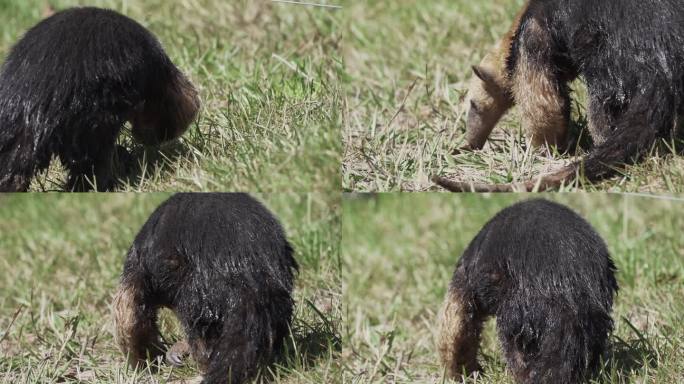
[[60, 260]]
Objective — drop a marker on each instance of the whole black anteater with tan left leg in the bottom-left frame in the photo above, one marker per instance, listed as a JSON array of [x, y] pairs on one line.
[[222, 263]]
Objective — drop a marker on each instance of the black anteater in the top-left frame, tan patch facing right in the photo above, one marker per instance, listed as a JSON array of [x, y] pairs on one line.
[[69, 85]]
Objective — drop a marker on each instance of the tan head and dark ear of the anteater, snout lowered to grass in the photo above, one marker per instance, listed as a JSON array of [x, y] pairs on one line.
[[490, 97]]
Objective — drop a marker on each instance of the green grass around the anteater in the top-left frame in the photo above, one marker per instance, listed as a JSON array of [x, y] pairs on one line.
[[268, 80]]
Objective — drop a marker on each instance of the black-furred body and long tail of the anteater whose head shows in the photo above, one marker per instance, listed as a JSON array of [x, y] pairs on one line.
[[630, 54]]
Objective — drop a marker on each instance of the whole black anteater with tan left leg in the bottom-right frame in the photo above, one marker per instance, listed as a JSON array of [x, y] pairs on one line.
[[547, 277]]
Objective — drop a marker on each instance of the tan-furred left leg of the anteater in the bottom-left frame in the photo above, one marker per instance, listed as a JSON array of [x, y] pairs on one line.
[[135, 321]]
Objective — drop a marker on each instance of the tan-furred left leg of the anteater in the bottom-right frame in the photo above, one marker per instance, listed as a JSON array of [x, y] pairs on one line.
[[459, 337]]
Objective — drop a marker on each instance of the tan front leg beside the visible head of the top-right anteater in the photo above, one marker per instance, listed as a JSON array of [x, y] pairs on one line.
[[541, 93]]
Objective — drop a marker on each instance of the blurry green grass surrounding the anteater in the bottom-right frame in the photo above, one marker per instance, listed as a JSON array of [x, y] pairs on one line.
[[400, 250]]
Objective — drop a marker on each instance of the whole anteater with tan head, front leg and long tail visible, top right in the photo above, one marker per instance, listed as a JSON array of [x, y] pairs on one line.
[[629, 52]]
